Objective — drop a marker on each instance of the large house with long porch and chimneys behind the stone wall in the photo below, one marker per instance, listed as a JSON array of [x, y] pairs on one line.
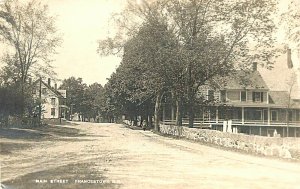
[[244, 103]]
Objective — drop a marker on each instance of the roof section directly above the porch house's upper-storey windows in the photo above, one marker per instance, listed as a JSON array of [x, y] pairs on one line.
[[241, 79]]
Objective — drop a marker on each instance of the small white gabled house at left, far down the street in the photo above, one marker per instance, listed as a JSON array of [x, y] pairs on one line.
[[53, 101]]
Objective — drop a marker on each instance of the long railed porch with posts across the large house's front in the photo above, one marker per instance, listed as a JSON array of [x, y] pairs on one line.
[[249, 120]]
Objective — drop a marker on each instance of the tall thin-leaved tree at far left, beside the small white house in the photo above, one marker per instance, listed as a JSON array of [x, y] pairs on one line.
[[29, 31]]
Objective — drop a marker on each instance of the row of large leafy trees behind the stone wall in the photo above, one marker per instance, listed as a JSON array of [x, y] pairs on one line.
[[176, 46]]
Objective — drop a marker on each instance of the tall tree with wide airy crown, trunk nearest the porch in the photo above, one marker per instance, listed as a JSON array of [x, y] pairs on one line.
[[217, 36]]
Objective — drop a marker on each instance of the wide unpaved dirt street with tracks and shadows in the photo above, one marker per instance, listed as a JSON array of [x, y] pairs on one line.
[[90, 155]]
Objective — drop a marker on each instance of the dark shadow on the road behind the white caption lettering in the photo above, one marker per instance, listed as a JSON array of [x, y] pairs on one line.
[[67, 176]]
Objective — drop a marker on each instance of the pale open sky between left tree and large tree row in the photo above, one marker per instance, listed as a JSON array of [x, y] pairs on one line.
[[82, 23]]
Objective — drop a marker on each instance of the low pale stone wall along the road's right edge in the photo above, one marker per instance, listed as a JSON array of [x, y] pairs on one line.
[[268, 146]]
